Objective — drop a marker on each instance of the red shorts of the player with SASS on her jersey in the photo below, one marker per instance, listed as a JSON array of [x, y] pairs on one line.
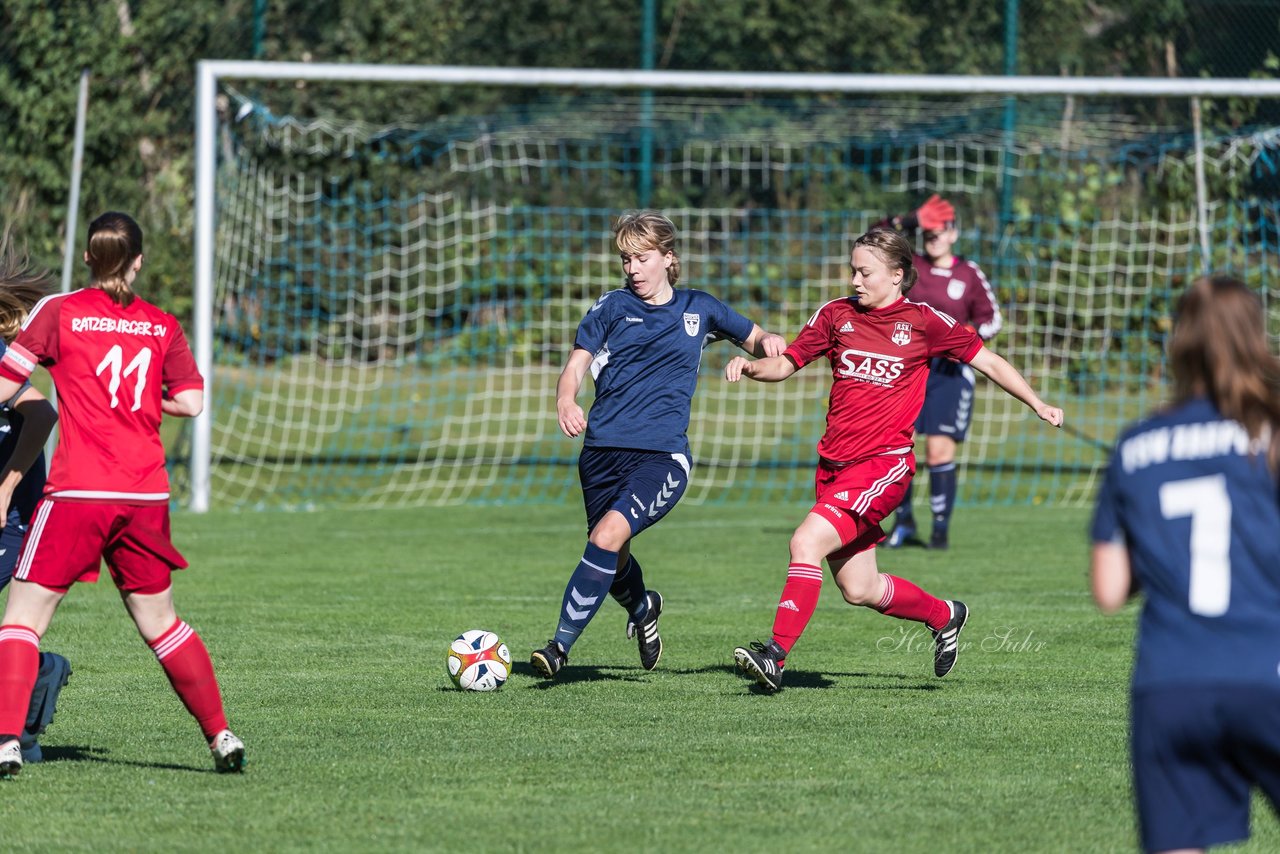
[[858, 497]]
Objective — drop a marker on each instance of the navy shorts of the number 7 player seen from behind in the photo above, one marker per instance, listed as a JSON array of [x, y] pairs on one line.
[[1197, 753]]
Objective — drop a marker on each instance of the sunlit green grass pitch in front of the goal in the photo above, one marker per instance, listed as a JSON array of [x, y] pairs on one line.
[[330, 633]]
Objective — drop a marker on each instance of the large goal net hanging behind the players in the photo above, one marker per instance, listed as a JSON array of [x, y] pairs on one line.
[[392, 302]]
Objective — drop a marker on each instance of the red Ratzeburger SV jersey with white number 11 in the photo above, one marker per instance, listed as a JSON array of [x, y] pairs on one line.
[[109, 364]]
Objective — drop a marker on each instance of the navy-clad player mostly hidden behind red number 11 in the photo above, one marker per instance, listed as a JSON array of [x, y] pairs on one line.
[[26, 422]]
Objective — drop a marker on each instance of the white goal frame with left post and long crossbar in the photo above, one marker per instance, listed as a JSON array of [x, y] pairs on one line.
[[211, 74]]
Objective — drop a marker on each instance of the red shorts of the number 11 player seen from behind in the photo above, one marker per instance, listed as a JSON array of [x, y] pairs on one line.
[[67, 542]]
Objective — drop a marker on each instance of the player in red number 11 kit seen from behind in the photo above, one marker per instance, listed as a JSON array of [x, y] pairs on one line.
[[118, 364]]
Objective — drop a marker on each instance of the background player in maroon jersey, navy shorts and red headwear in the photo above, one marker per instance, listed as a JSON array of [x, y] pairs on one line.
[[958, 287]]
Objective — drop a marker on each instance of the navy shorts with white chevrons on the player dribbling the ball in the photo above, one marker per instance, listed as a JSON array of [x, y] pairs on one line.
[[643, 486]]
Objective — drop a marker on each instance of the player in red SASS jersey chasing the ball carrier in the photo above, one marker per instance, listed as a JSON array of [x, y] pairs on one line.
[[879, 345]]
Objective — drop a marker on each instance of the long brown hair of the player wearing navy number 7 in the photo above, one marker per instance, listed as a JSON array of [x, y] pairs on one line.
[[1220, 350]]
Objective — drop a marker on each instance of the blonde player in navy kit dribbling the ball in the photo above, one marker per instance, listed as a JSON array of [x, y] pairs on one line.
[[643, 345]]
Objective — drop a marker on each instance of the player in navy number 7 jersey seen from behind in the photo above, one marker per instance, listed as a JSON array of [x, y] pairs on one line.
[[1190, 514]]
